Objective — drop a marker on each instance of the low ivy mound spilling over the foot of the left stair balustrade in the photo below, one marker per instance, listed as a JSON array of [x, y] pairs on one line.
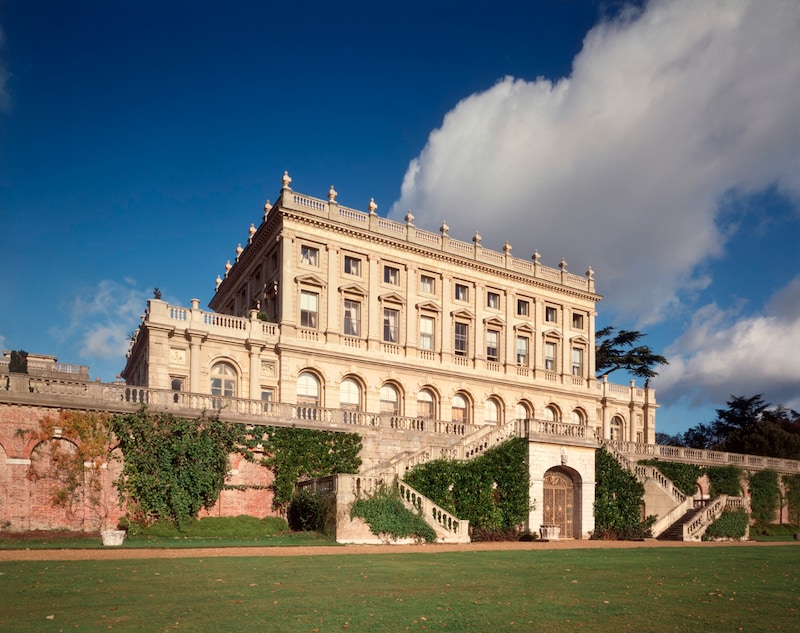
[[385, 513]]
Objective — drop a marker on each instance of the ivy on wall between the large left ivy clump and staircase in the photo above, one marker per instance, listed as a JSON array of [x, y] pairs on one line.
[[293, 453]]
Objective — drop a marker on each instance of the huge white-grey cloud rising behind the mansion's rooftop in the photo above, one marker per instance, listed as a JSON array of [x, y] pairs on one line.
[[623, 165]]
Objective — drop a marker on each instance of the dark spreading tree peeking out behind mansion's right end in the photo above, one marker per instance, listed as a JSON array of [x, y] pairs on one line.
[[618, 349]]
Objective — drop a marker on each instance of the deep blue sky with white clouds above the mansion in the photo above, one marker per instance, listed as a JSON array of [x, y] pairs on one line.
[[657, 142]]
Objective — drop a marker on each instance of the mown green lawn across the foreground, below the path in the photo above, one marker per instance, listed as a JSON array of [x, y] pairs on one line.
[[702, 589]]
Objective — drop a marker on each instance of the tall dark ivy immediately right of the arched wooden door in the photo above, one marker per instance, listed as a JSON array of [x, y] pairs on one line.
[[618, 501]]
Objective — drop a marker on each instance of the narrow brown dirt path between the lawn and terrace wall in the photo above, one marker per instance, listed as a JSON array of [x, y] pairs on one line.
[[213, 552]]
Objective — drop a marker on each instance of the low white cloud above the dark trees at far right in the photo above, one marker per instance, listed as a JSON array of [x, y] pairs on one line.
[[724, 354]]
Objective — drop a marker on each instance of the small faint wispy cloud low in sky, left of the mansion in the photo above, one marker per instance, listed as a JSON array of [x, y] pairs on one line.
[[101, 318]]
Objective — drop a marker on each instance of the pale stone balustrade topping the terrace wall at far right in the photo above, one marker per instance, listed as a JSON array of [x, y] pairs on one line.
[[636, 451]]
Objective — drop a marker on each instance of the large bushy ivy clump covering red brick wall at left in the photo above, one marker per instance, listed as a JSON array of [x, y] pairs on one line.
[[173, 467]]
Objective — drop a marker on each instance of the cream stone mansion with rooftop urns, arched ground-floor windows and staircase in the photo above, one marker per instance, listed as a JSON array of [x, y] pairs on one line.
[[334, 318]]
